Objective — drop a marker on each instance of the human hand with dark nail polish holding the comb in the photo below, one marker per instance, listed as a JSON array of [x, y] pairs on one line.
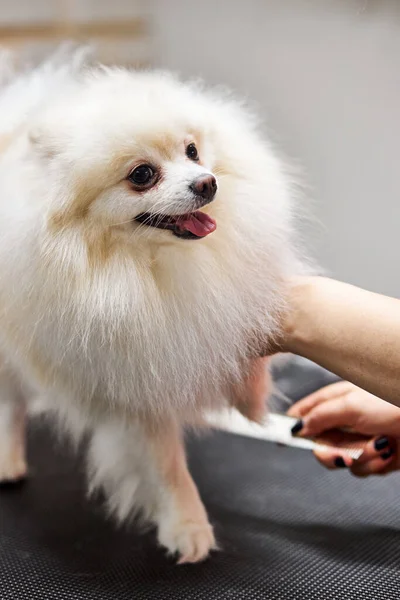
[[343, 405]]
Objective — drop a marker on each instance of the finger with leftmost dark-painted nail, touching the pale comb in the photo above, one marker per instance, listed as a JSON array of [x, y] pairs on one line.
[[328, 415]]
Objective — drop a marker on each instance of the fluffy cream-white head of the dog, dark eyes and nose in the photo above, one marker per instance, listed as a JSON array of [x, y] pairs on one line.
[[131, 155]]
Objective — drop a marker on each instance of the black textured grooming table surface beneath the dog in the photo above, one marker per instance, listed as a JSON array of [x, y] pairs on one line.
[[289, 529]]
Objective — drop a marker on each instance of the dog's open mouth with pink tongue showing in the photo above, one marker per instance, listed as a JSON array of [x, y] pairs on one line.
[[191, 226]]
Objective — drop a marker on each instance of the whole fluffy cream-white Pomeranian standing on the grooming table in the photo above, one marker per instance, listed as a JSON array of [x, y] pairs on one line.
[[146, 238]]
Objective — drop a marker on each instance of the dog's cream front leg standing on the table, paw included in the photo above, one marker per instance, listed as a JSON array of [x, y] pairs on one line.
[[142, 470]]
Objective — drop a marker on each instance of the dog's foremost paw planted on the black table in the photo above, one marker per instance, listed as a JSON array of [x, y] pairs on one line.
[[192, 541]]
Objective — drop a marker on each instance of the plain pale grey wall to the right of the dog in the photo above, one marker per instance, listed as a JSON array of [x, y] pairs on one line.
[[327, 75]]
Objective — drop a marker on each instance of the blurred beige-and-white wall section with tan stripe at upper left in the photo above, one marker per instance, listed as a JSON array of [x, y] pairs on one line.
[[117, 29]]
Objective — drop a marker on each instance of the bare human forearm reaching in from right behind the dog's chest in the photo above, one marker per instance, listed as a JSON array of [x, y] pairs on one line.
[[349, 331]]
